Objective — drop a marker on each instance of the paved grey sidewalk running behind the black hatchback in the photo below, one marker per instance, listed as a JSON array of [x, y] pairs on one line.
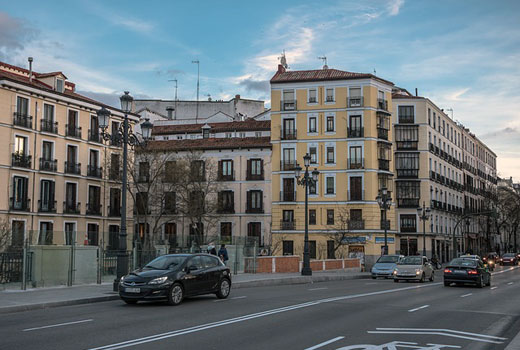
[[41, 298]]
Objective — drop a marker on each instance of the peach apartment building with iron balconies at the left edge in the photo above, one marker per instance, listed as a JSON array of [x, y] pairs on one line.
[[61, 181]]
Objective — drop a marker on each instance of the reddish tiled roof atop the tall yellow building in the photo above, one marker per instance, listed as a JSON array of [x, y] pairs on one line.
[[320, 74]]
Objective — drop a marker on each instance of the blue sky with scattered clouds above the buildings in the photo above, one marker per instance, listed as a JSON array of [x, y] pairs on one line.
[[462, 54]]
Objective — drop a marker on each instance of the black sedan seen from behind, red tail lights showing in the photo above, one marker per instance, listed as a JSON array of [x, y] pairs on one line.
[[463, 270]]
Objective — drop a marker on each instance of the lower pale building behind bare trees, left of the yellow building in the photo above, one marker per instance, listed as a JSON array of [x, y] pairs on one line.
[[235, 156]]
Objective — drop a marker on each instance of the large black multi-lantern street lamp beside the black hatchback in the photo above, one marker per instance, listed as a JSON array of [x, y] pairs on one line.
[[126, 137]]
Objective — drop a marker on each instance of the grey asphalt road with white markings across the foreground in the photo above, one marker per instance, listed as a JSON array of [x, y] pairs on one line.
[[346, 315]]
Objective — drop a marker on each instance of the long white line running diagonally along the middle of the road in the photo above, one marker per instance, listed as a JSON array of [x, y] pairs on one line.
[[175, 333]]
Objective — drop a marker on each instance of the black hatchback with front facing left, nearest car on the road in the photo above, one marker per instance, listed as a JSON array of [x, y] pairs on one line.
[[175, 276]]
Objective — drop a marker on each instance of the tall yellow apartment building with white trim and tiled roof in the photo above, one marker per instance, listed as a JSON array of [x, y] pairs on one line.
[[342, 120]]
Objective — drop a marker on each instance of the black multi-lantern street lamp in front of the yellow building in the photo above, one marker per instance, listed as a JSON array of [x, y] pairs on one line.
[[306, 181]]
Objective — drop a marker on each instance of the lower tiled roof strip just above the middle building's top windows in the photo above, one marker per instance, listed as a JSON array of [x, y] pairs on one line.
[[211, 143]]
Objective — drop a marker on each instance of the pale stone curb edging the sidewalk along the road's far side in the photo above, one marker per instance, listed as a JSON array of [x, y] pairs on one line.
[[245, 284]]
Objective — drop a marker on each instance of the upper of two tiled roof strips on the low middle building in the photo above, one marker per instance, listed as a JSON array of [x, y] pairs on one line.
[[247, 125]]
